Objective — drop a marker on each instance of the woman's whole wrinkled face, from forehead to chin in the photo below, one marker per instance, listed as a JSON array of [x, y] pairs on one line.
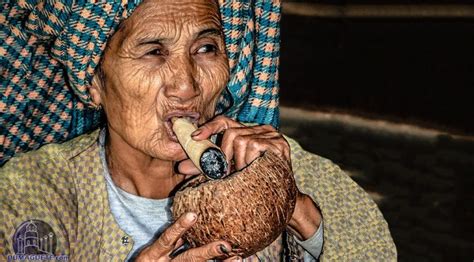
[[167, 59]]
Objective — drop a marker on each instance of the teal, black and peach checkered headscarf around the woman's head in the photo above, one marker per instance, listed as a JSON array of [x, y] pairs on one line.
[[50, 49]]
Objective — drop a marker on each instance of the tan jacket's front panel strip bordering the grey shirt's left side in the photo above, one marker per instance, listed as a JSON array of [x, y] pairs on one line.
[[93, 202]]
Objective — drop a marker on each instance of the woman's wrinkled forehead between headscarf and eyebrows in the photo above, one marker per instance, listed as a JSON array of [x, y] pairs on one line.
[[175, 23]]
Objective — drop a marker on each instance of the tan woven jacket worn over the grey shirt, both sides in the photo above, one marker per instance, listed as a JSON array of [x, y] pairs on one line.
[[63, 186]]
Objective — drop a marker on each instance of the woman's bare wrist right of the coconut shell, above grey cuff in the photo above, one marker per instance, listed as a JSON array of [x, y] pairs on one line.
[[306, 218]]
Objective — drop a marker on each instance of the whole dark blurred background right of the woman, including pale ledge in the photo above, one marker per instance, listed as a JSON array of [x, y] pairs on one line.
[[384, 88]]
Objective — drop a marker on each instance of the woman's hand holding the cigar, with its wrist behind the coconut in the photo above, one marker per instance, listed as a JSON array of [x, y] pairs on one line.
[[244, 144]]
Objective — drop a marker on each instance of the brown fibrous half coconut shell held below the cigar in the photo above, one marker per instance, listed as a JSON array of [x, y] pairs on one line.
[[249, 209]]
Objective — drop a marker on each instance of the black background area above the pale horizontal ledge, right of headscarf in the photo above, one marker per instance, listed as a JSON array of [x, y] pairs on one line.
[[417, 66]]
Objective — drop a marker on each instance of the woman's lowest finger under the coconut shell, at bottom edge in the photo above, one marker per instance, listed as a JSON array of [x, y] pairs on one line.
[[206, 252]]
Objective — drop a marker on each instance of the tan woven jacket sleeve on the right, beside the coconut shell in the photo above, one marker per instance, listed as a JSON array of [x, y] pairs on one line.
[[354, 227]]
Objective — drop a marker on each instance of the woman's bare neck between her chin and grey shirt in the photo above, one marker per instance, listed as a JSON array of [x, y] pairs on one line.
[[137, 173]]
